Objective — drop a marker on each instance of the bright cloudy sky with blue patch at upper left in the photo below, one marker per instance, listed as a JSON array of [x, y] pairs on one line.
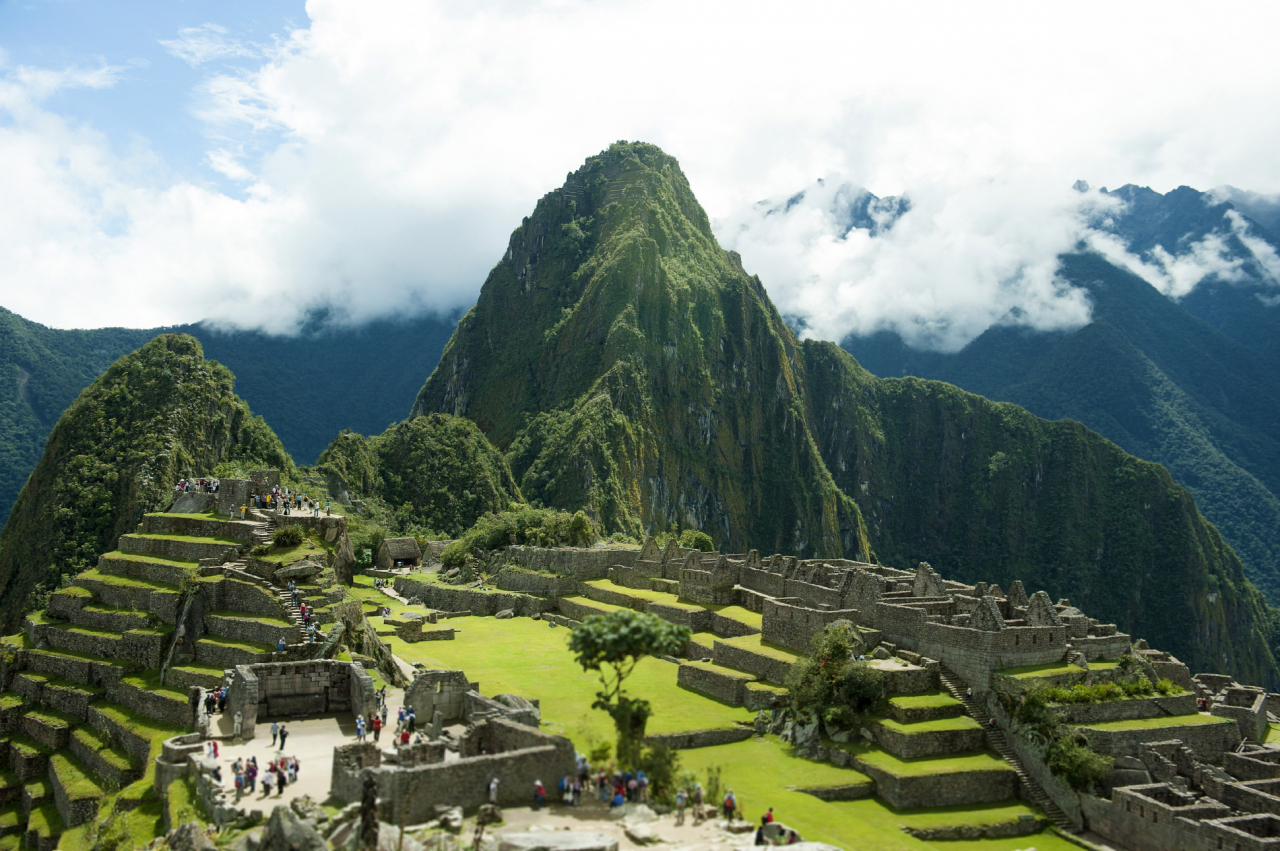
[[249, 163]]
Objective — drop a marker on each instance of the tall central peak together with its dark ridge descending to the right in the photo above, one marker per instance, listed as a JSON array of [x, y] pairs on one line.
[[629, 365]]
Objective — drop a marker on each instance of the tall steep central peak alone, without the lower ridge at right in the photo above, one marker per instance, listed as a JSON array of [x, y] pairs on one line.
[[633, 368]]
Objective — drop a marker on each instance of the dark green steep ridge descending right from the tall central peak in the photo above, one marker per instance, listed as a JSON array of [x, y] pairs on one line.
[[996, 495]]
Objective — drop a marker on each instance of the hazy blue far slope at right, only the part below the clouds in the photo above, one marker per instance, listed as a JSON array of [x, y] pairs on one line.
[[1149, 376]]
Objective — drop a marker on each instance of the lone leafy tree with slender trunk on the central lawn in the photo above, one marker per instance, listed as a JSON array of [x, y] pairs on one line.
[[614, 644]]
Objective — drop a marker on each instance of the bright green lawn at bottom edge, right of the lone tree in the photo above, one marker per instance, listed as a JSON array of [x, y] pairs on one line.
[[761, 771]]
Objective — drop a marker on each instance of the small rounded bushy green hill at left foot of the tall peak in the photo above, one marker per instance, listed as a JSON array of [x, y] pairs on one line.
[[437, 473]]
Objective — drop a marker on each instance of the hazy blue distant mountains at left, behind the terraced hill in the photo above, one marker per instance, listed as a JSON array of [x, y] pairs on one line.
[[309, 387]]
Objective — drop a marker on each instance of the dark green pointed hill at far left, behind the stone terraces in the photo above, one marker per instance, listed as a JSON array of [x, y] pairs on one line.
[[154, 417]]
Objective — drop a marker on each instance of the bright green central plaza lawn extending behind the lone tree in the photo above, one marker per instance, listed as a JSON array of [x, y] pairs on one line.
[[532, 660]]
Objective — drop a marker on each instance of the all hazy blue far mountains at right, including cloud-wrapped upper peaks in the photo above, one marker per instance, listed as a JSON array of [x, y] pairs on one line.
[[1192, 383]]
